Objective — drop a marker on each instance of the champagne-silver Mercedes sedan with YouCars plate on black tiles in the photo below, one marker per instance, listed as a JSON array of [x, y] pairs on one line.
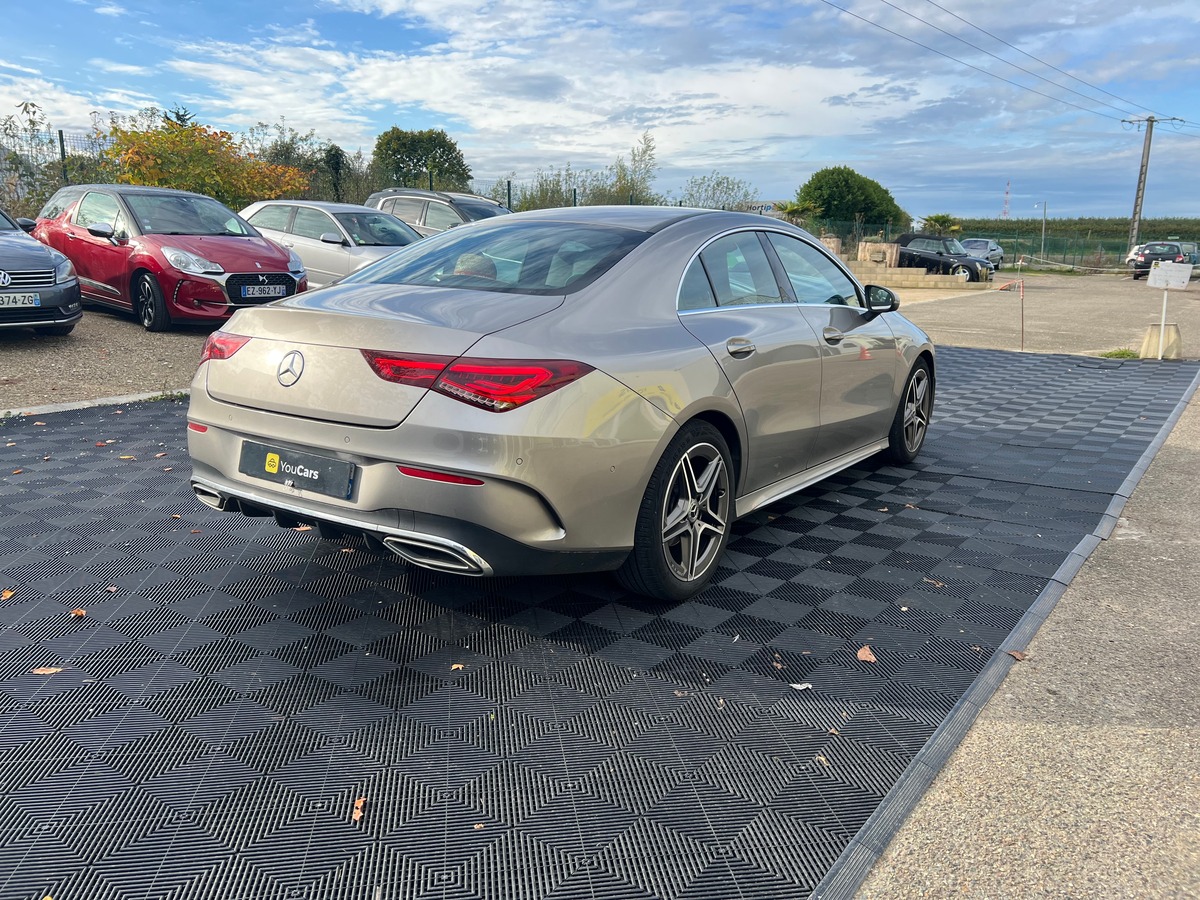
[[597, 388]]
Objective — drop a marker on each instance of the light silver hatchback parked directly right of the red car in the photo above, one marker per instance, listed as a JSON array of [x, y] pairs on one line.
[[332, 239]]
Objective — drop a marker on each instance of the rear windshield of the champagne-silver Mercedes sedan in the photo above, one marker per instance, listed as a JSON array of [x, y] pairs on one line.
[[519, 259]]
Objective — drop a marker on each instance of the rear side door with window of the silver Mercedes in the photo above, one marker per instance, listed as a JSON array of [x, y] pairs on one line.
[[731, 302]]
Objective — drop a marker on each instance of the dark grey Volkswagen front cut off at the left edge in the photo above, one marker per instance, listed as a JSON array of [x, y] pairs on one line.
[[39, 287]]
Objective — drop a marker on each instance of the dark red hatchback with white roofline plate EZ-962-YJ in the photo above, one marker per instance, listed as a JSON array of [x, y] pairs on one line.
[[167, 256]]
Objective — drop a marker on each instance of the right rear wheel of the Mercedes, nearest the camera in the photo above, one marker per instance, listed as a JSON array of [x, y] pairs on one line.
[[685, 520]]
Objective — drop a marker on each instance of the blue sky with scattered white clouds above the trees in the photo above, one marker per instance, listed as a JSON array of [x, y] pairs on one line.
[[949, 105]]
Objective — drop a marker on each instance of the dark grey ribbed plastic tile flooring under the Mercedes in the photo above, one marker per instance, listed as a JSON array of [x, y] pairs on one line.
[[209, 727]]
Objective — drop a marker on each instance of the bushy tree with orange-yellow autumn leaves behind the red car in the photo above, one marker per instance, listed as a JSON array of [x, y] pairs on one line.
[[173, 152]]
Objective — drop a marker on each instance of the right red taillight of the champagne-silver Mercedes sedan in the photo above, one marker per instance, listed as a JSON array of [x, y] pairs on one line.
[[495, 385]]
